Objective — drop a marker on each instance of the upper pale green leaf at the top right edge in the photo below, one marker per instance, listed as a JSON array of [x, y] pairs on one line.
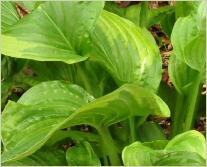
[[187, 32]]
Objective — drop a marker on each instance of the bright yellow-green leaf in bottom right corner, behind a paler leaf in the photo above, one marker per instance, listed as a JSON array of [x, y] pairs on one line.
[[192, 141]]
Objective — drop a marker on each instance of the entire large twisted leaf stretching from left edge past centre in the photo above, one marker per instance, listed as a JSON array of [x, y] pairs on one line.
[[53, 105]]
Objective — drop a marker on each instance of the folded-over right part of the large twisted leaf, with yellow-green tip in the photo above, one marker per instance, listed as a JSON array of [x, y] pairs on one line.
[[119, 105]]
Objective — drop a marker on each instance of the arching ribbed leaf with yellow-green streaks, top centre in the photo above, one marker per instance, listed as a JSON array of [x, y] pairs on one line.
[[128, 52]]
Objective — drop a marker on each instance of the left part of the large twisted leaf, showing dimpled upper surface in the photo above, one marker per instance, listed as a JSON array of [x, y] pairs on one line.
[[40, 110]]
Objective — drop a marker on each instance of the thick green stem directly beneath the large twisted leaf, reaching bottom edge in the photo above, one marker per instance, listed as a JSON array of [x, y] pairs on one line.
[[109, 146]]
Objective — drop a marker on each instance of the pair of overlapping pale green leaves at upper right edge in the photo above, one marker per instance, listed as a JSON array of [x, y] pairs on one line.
[[188, 39]]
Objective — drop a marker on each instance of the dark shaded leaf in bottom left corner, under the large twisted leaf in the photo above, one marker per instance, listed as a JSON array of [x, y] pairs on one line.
[[43, 157]]
